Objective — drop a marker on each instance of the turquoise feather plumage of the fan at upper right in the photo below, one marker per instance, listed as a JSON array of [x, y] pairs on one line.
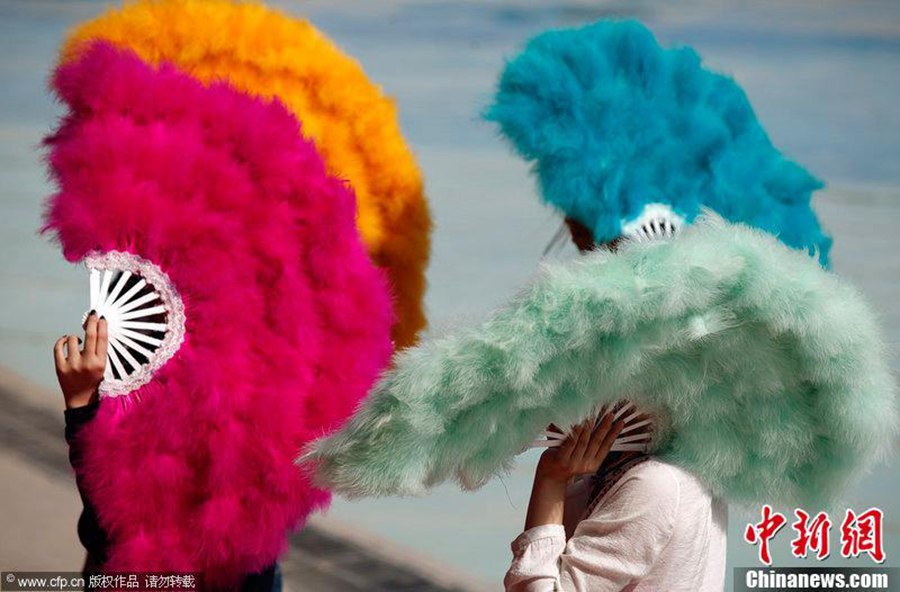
[[614, 123]]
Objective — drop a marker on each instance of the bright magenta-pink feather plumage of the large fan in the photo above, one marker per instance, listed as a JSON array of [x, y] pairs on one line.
[[286, 321]]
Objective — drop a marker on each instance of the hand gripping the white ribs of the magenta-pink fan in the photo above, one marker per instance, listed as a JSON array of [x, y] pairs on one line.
[[80, 371]]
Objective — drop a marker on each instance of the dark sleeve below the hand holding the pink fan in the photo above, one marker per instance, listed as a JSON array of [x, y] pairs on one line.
[[92, 536]]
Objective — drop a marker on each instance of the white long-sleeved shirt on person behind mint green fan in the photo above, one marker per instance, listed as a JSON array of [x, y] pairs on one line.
[[657, 529]]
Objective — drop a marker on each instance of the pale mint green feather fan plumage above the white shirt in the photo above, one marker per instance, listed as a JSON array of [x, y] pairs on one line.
[[767, 372]]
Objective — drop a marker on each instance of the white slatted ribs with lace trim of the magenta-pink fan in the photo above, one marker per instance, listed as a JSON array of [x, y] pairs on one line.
[[121, 307]]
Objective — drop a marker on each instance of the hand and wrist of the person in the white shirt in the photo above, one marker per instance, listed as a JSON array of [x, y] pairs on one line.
[[583, 451]]
